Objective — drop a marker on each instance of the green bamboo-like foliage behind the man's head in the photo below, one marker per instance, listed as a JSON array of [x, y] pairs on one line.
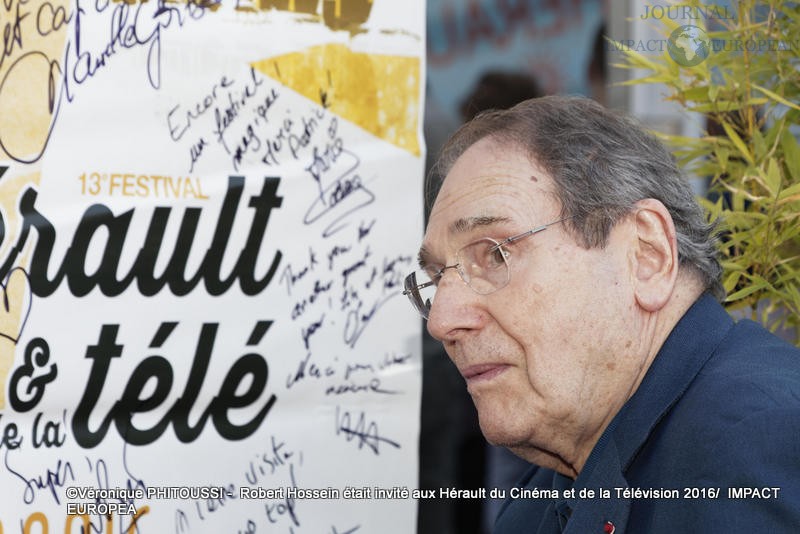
[[749, 89]]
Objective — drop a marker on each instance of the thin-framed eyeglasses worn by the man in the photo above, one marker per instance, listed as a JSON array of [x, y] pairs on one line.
[[482, 265]]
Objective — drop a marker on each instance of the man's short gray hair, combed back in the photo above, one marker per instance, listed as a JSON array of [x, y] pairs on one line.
[[602, 163]]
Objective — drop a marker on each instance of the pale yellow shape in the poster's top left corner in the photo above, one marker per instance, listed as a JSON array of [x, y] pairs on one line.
[[29, 70]]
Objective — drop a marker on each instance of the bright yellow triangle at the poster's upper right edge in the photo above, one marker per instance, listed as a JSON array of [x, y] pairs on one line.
[[379, 93]]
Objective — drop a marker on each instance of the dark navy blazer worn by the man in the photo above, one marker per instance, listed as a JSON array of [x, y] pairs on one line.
[[718, 410]]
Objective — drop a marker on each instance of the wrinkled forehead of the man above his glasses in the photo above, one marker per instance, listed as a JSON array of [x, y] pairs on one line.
[[490, 185]]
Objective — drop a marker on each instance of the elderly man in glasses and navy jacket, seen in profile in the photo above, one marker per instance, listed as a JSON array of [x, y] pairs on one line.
[[574, 283]]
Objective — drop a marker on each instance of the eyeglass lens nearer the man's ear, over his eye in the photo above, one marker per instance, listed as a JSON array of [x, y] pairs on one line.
[[484, 266]]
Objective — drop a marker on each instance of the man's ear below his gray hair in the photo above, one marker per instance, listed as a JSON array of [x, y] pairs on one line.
[[656, 254]]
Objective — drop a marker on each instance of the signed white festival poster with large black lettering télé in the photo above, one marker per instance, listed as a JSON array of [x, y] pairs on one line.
[[206, 213]]
